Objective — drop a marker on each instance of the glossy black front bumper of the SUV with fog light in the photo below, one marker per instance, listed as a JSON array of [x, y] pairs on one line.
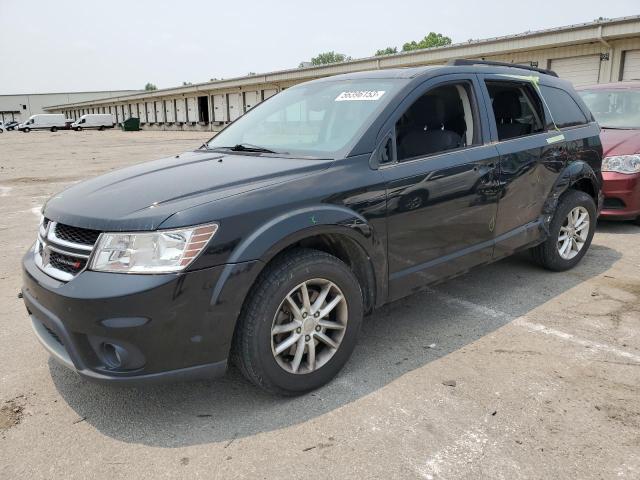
[[167, 327]]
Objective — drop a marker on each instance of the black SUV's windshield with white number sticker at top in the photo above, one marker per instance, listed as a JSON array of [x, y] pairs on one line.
[[316, 120]]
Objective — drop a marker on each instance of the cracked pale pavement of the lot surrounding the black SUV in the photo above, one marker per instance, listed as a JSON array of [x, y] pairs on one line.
[[508, 372]]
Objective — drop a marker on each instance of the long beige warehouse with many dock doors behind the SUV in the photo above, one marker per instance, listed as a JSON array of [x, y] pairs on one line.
[[597, 52]]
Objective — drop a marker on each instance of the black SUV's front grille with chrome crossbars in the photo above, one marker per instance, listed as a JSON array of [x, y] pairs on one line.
[[62, 251]]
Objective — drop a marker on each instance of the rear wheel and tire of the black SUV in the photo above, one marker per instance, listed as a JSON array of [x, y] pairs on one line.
[[548, 254]]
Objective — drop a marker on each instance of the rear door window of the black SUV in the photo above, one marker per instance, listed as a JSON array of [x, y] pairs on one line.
[[516, 108]]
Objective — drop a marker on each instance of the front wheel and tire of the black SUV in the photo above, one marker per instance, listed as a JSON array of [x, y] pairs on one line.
[[255, 344]]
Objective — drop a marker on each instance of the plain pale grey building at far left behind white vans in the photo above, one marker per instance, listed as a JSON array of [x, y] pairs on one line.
[[21, 107]]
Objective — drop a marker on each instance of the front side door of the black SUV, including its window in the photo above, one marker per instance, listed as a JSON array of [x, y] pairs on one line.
[[440, 178]]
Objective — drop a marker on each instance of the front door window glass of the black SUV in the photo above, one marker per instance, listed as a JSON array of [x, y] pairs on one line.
[[440, 120]]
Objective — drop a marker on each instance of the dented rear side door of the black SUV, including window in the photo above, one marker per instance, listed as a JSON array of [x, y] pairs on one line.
[[532, 155]]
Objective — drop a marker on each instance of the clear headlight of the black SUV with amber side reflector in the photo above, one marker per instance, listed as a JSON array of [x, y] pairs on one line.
[[162, 251]]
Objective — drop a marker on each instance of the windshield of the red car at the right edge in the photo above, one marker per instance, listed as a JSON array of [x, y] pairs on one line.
[[614, 108]]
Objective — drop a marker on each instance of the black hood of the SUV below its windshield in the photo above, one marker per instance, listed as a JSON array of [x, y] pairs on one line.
[[143, 196]]
